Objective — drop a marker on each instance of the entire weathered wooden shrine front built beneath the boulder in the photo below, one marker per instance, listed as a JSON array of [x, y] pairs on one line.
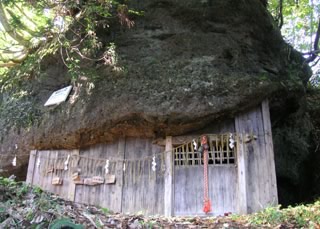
[[166, 176]]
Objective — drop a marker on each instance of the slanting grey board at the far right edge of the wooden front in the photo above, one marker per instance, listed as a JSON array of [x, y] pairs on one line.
[[269, 152]]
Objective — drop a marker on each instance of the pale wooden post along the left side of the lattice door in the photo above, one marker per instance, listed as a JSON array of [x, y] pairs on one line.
[[168, 180]]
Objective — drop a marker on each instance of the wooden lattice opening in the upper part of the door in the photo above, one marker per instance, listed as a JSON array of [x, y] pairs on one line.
[[219, 152]]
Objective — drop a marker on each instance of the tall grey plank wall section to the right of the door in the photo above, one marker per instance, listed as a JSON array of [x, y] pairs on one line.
[[259, 182]]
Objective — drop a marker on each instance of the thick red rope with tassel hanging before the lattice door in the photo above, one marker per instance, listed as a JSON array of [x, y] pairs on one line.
[[207, 202]]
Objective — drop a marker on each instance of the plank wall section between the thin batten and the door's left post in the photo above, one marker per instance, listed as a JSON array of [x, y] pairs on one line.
[[146, 192]]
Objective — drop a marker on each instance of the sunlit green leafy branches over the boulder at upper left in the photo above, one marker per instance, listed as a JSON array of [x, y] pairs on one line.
[[69, 27]]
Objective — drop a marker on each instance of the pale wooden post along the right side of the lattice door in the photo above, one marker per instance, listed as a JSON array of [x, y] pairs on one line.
[[242, 175]]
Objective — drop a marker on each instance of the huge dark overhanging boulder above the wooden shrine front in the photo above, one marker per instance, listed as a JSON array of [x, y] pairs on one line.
[[183, 65]]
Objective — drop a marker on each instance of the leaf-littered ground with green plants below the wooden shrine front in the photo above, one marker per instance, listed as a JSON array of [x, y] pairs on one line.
[[22, 206]]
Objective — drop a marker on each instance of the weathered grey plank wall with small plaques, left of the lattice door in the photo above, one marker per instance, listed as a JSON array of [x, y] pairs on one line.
[[137, 188]]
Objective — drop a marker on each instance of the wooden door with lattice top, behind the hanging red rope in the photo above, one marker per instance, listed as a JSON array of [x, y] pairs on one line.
[[189, 177]]
